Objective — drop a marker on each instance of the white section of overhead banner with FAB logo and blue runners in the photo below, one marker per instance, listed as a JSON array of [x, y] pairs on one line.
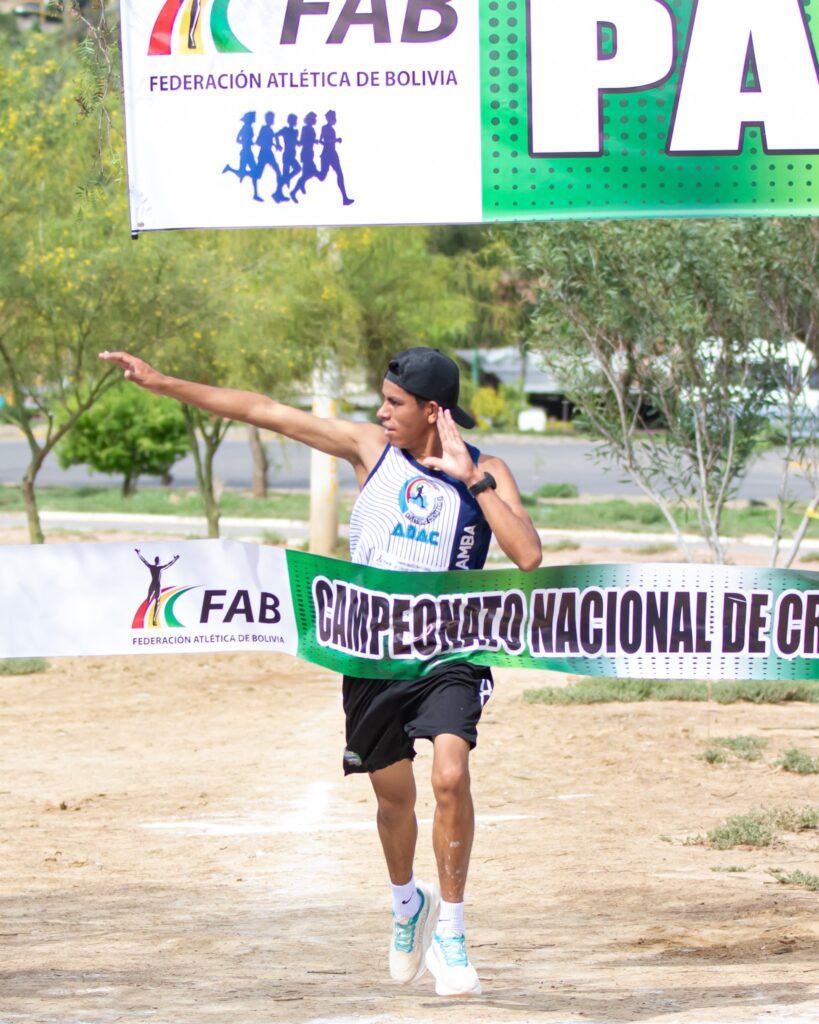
[[251, 113]]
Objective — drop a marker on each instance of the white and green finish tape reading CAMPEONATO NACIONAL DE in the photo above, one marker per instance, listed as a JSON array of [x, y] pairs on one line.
[[653, 621]]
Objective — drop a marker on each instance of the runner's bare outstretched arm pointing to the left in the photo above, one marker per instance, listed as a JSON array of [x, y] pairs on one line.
[[359, 444]]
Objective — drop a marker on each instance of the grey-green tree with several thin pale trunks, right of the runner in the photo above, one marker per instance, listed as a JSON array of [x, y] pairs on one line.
[[656, 317]]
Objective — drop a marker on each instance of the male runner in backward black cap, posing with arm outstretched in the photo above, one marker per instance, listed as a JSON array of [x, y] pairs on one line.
[[428, 502]]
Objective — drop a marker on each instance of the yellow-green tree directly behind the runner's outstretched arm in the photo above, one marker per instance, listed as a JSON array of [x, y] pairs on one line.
[[278, 310]]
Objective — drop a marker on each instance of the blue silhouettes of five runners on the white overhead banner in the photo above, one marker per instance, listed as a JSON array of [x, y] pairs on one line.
[[292, 144]]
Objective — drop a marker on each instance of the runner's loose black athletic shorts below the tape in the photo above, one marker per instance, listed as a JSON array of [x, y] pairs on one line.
[[385, 716]]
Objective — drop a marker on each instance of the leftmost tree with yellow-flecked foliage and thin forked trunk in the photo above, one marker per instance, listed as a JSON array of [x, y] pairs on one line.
[[40, 271]]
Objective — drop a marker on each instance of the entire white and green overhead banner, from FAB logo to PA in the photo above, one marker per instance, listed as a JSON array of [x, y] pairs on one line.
[[287, 113]]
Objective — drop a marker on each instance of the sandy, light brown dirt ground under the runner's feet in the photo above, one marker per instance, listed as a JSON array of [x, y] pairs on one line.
[[179, 846]]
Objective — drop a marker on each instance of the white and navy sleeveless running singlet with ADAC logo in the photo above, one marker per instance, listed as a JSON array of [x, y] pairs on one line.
[[417, 520]]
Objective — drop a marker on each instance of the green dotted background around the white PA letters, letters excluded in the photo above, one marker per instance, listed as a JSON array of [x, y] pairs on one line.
[[635, 177]]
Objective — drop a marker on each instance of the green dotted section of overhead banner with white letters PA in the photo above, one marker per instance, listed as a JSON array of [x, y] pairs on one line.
[[696, 107]]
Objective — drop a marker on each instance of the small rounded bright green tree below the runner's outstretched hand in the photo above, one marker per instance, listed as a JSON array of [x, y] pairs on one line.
[[130, 433]]
